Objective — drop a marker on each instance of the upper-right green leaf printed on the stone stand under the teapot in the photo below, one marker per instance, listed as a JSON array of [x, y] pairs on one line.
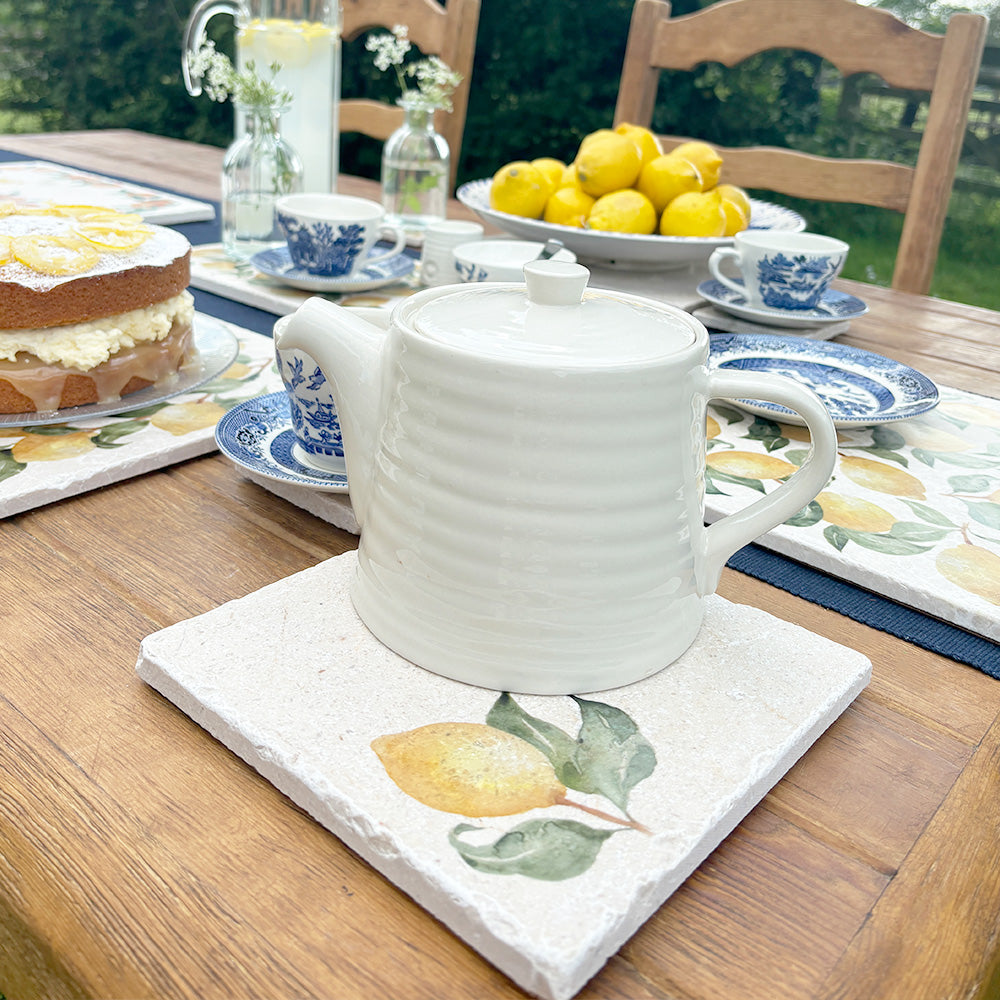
[[612, 756]]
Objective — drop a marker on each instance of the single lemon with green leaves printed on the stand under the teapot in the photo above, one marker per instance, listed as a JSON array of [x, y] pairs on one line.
[[516, 763]]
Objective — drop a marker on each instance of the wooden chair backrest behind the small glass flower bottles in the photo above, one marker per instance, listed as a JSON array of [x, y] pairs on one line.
[[445, 31]]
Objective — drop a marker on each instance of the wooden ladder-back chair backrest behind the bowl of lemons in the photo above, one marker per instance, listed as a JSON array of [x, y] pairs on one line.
[[855, 39]]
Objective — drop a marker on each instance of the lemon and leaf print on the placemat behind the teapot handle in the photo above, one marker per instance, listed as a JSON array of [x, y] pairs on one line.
[[926, 487]]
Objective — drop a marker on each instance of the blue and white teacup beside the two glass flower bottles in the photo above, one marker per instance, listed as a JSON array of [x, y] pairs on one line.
[[331, 235]]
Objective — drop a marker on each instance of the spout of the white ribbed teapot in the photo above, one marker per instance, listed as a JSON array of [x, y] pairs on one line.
[[347, 345]]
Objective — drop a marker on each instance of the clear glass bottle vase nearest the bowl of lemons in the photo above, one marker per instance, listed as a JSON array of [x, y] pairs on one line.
[[415, 170]]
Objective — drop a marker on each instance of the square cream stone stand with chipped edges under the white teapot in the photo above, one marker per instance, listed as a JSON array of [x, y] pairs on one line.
[[291, 681]]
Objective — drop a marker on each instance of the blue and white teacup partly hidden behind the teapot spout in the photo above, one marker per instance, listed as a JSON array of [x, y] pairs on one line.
[[315, 423]]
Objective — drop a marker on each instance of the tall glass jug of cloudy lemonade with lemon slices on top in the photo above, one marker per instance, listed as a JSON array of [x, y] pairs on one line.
[[304, 37]]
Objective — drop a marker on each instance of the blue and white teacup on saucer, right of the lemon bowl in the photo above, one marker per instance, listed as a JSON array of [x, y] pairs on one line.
[[781, 270]]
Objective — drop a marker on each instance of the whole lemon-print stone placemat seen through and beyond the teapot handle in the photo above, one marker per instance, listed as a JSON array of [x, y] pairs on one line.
[[912, 511]]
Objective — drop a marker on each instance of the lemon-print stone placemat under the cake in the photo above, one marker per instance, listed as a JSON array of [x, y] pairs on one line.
[[49, 462]]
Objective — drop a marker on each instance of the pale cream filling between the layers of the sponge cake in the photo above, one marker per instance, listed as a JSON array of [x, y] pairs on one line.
[[85, 345]]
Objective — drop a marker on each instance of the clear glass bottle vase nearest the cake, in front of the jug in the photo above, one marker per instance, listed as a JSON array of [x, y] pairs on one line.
[[258, 168]]
